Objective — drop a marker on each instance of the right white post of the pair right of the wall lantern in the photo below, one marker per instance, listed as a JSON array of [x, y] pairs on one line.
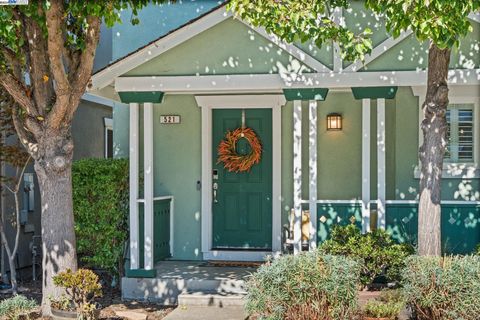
[[381, 173]]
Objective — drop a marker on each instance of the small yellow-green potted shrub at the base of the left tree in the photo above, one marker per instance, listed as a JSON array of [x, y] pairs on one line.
[[81, 289]]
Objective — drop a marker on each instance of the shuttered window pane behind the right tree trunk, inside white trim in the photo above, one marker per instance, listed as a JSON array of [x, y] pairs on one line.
[[460, 134]]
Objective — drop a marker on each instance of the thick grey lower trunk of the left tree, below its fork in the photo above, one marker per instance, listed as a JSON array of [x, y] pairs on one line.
[[53, 165]]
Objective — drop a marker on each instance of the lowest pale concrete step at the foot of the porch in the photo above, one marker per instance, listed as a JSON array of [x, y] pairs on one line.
[[213, 299]]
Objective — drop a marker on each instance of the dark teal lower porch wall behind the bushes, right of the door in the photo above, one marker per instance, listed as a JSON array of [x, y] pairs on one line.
[[460, 221]]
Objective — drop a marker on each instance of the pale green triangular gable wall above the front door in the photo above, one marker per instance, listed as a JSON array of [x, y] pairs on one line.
[[229, 47]]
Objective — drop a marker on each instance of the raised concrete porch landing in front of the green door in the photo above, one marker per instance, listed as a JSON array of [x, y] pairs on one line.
[[177, 277]]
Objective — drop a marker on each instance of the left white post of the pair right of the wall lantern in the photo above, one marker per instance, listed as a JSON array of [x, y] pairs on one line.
[[365, 165]]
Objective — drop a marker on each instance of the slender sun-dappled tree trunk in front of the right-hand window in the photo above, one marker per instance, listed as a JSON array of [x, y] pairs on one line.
[[432, 151]]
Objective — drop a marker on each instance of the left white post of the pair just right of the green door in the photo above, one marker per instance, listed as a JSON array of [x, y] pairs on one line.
[[297, 176]]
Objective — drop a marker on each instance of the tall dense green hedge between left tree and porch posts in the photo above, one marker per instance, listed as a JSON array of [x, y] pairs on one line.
[[100, 205]]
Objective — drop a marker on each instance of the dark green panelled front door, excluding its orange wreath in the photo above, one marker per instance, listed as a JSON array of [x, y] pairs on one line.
[[242, 202]]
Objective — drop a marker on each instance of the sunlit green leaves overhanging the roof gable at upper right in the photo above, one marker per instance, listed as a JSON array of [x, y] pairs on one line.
[[443, 22]]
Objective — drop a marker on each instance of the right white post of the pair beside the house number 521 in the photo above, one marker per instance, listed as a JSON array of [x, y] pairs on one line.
[[148, 183]]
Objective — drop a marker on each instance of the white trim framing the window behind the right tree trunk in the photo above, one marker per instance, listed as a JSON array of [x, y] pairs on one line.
[[457, 95]]
